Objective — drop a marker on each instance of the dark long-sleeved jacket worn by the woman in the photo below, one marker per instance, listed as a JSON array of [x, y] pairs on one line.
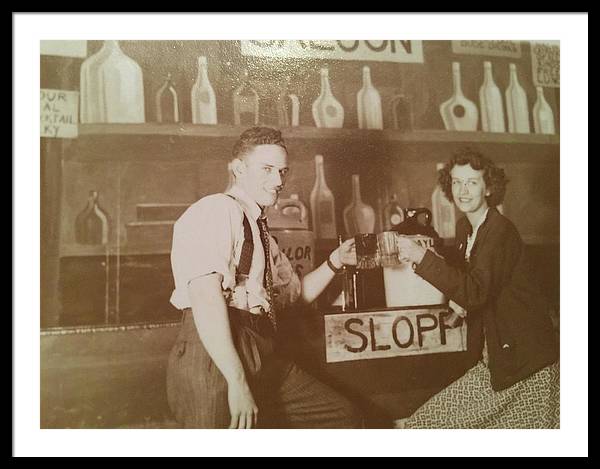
[[496, 285]]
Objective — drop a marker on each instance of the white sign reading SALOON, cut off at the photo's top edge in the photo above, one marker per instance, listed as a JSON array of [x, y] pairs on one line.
[[382, 51]]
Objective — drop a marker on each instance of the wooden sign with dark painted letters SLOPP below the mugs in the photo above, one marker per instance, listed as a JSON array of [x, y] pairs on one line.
[[381, 334]]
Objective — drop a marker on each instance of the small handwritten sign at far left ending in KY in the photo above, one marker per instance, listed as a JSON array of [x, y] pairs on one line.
[[58, 113]]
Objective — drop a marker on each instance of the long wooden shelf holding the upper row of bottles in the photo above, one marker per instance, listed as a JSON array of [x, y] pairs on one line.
[[230, 131]]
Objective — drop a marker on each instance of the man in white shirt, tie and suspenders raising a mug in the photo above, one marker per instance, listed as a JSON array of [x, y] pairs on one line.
[[230, 279]]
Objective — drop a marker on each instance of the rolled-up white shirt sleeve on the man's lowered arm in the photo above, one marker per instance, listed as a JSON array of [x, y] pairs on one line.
[[204, 243]]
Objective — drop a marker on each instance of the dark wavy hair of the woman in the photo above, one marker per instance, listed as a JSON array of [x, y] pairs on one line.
[[494, 177]]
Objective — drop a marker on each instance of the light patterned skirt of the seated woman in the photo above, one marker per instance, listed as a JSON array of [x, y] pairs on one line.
[[470, 402]]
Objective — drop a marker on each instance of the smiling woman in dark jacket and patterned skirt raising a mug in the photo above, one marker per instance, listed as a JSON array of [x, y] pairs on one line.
[[515, 383]]
